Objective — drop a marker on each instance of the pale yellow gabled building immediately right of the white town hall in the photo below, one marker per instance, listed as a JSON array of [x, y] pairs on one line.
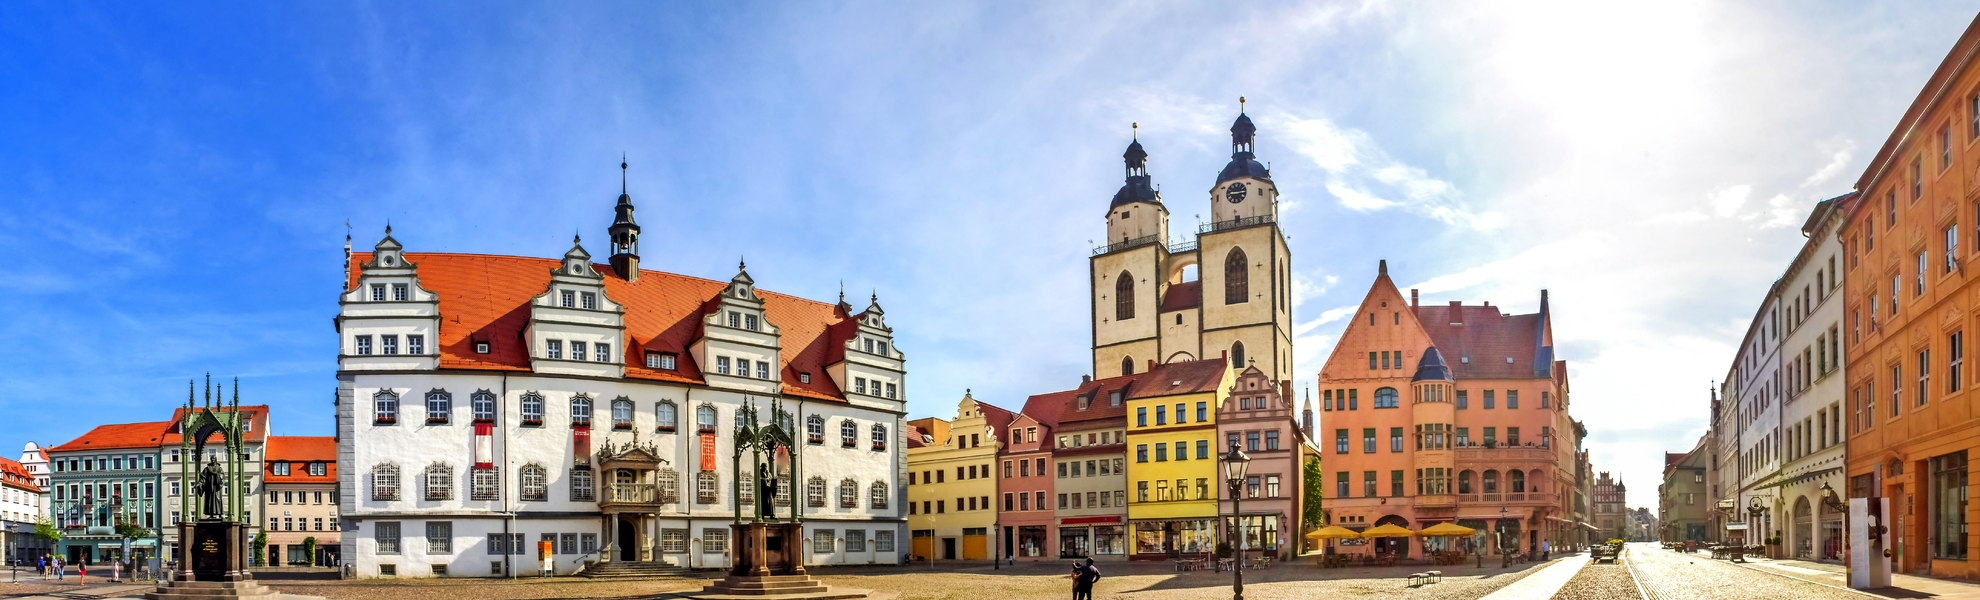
[[949, 482]]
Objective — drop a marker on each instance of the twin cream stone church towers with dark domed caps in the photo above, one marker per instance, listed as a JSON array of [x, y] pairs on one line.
[[1240, 306]]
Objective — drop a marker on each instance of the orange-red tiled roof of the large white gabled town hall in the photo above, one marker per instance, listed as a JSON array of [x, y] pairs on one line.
[[486, 298]]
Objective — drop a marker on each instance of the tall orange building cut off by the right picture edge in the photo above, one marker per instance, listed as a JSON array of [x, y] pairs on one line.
[[1910, 298]]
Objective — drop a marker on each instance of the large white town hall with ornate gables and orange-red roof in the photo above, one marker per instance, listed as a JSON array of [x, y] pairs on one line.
[[490, 403]]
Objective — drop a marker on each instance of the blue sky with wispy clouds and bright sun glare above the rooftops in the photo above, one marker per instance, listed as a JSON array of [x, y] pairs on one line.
[[175, 179]]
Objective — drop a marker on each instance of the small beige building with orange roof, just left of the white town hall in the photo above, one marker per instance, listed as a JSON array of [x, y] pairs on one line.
[[300, 500]]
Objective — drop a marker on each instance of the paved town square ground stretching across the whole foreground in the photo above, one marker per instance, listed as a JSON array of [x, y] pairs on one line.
[[1644, 573]]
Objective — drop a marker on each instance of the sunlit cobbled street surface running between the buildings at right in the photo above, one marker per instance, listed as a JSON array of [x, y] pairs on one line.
[[1670, 575]]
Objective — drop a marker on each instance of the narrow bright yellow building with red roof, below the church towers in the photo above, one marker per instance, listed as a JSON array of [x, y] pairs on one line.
[[1173, 456]]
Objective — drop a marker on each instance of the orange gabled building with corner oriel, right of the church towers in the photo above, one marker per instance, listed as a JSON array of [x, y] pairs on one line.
[[1446, 415]]
